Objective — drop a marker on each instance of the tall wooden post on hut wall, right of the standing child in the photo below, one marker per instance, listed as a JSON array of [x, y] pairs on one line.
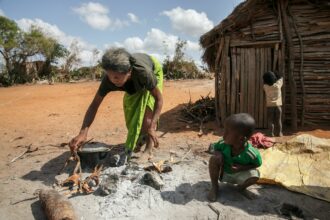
[[289, 44]]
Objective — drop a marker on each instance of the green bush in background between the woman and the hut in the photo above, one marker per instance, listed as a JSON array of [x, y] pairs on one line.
[[181, 68]]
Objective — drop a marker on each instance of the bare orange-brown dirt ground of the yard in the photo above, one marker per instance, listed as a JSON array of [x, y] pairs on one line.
[[48, 115]]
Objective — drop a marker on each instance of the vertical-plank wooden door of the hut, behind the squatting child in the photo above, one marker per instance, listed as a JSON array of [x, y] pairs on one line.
[[245, 92]]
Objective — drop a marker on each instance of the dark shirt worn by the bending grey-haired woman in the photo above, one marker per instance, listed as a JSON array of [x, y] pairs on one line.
[[143, 77]]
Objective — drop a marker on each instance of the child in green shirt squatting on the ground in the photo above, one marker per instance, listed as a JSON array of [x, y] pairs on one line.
[[235, 160]]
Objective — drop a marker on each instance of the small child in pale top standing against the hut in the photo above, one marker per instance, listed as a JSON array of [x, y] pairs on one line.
[[272, 87]]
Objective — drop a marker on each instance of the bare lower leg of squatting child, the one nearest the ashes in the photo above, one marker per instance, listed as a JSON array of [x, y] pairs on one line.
[[216, 170]]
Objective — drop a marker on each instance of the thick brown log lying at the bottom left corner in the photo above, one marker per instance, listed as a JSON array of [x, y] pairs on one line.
[[56, 206]]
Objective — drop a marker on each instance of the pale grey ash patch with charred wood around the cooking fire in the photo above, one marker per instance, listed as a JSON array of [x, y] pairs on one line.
[[141, 191]]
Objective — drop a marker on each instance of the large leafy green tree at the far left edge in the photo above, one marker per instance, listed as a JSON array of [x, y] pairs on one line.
[[18, 47]]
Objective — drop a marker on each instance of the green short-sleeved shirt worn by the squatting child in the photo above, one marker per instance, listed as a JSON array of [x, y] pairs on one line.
[[250, 155]]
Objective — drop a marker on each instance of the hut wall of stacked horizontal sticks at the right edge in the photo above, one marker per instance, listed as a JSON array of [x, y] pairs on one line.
[[313, 25]]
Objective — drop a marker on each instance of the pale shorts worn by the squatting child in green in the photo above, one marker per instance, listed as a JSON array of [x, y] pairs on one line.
[[240, 177]]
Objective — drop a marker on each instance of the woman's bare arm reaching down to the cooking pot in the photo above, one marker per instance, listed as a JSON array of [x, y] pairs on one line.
[[76, 142]]
